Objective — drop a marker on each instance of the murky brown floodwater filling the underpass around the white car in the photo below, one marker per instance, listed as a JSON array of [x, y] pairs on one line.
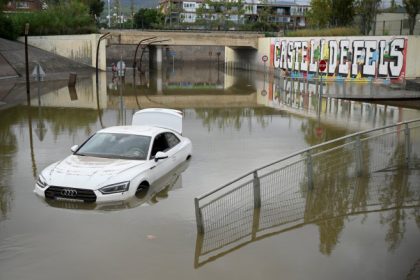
[[237, 122]]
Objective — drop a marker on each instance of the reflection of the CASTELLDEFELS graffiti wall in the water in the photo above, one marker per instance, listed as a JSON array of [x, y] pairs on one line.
[[304, 98]]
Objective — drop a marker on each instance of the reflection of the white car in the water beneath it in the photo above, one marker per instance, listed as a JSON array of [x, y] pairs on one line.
[[156, 192]]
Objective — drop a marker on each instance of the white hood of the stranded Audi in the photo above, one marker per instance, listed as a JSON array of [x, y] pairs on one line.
[[89, 172]]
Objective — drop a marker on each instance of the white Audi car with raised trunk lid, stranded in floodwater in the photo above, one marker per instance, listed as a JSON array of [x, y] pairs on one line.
[[116, 162]]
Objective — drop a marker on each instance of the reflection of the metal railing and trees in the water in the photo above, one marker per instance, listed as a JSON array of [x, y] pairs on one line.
[[395, 195]]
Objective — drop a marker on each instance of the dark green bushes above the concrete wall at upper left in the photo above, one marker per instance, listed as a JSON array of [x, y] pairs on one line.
[[67, 18]]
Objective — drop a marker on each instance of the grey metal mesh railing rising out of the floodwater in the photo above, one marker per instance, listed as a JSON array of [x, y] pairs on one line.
[[289, 181]]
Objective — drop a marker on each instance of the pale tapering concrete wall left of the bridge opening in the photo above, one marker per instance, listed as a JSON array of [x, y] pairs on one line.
[[80, 48]]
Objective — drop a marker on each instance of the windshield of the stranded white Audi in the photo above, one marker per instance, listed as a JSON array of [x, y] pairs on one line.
[[116, 145]]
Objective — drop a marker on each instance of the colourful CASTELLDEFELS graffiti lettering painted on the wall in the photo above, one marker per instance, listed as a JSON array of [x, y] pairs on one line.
[[347, 58]]
